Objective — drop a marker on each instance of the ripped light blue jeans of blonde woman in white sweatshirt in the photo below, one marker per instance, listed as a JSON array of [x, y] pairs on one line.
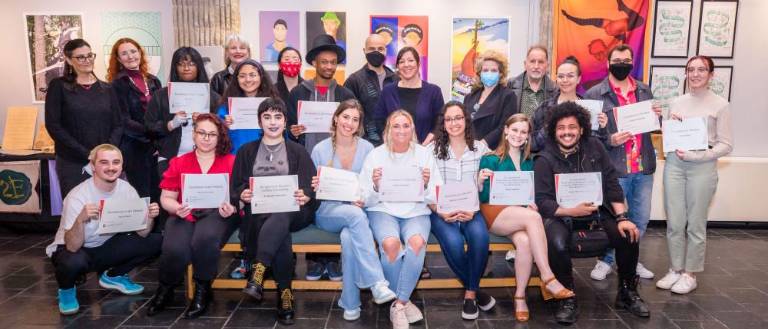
[[403, 273]]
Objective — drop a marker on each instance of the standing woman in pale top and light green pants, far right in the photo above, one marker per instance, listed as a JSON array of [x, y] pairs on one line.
[[690, 177]]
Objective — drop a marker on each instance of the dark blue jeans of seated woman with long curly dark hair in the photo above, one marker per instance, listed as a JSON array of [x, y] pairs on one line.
[[469, 265]]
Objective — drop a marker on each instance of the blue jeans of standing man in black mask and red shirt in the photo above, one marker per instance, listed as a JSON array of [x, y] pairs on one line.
[[637, 190]]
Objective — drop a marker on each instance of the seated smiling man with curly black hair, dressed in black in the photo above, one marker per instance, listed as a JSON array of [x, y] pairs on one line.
[[571, 149]]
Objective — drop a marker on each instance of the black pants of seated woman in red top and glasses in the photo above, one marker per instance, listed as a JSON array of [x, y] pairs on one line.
[[198, 243]]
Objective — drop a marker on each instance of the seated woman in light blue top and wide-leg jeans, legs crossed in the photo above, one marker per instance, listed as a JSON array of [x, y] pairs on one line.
[[346, 150]]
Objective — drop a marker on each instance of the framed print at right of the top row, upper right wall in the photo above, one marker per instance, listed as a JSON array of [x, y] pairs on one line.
[[717, 29]]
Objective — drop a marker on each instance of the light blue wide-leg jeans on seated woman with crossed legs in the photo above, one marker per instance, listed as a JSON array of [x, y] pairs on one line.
[[360, 264]]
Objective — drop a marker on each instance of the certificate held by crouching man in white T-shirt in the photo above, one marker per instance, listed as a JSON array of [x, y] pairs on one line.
[[120, 215]]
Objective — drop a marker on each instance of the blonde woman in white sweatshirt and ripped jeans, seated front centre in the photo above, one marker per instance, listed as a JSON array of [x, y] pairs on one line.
[[406, 222]]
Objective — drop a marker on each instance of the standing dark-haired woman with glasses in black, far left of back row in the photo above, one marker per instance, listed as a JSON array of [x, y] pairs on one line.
[[80, 112]]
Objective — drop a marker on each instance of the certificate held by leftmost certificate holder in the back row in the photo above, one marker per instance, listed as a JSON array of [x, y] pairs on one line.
[[189, 97]]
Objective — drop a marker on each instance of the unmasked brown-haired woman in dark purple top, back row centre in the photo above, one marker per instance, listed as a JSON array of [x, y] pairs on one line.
[[421, 99]]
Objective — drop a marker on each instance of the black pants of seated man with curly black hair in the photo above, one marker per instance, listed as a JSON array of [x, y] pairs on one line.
[[559, 245]]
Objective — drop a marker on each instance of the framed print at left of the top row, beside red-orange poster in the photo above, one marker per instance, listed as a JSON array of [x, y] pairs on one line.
[[672, 28]]
